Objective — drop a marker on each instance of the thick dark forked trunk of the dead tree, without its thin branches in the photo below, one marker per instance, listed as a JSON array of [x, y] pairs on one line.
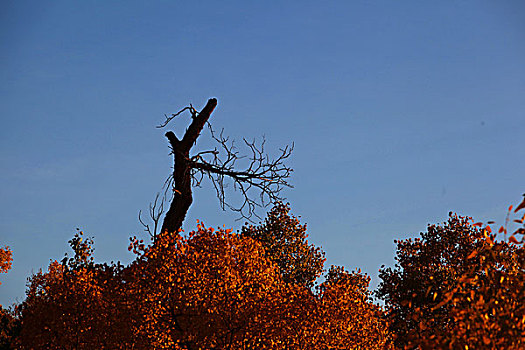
[[183, 198]]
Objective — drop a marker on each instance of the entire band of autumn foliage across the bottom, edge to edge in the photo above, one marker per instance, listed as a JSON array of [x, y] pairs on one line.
[[457, 286]]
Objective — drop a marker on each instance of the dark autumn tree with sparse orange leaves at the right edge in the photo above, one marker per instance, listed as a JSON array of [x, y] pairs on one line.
[[457, 287]]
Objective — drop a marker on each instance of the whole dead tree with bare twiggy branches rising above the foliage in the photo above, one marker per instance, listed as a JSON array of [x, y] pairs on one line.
[[259, 182]]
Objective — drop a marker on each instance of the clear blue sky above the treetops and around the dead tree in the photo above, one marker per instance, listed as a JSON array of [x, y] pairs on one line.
[[400, 111]]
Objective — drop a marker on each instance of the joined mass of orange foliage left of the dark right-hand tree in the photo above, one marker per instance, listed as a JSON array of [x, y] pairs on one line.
[[208, 289]]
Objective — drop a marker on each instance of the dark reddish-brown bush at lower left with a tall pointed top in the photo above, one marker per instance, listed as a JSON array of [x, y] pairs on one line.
[[76, 304]]
